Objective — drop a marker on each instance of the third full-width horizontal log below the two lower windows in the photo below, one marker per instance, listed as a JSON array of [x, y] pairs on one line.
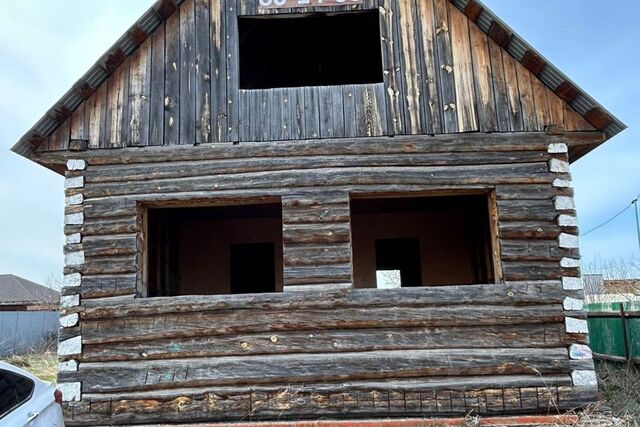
[[331, 341]]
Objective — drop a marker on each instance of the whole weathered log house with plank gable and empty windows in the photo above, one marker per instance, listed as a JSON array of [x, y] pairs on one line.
[[294, 209]]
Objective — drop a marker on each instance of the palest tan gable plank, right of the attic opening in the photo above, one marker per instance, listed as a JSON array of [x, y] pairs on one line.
[[463, 71]]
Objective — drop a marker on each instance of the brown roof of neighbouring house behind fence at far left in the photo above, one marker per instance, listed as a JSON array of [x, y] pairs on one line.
[[15, 290]]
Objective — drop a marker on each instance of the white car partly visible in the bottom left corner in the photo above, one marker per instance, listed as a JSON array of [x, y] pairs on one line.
[[26, 400]]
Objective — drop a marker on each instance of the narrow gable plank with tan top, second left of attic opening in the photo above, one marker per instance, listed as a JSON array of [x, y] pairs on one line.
[[218, 97]]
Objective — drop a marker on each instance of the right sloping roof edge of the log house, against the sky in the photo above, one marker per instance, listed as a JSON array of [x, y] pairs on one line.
[[598, 116]]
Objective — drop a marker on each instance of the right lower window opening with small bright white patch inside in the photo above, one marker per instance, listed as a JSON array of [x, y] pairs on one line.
[[421, 241]]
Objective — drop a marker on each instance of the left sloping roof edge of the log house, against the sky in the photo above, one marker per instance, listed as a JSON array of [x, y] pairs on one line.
[[97, 74]]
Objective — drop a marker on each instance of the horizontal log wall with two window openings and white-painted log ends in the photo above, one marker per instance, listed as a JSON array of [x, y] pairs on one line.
[[320, 348]]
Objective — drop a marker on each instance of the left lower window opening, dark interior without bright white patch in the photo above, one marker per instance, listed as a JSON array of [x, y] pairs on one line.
[[214, 250]]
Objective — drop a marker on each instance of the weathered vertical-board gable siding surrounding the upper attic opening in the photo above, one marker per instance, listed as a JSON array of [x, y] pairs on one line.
[[440, 74]]
